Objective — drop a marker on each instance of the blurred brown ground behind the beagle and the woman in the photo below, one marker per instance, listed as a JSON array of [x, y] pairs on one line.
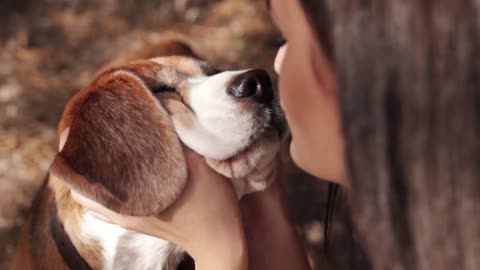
[[49, 49]]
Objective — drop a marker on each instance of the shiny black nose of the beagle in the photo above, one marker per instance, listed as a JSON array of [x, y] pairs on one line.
[[254, 84]]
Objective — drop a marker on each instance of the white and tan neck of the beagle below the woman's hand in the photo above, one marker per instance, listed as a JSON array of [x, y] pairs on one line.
[[107, 246]]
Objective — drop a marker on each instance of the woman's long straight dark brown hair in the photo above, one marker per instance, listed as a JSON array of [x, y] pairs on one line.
[[409, 86]]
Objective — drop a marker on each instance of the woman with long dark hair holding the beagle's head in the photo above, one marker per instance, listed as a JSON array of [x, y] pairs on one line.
[[381, 97]]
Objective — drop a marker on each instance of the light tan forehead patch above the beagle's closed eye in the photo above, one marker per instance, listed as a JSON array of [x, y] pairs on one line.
[[186, 65]]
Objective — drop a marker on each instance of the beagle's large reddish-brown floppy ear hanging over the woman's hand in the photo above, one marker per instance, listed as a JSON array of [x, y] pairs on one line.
[[122, 150]]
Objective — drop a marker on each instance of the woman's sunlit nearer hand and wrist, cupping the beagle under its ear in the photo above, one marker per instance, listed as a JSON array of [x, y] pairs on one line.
[[205, 220]]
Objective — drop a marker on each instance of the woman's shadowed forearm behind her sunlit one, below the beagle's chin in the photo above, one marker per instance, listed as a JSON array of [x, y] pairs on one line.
[[270, 231]]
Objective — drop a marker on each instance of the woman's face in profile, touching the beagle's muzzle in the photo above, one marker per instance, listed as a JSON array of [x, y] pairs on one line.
[[308, 95]]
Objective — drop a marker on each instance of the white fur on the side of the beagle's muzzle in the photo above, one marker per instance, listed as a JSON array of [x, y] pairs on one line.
[[221, 125]]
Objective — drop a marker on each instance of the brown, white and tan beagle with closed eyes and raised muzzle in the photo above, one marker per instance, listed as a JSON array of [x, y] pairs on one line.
[[124, 150]]
